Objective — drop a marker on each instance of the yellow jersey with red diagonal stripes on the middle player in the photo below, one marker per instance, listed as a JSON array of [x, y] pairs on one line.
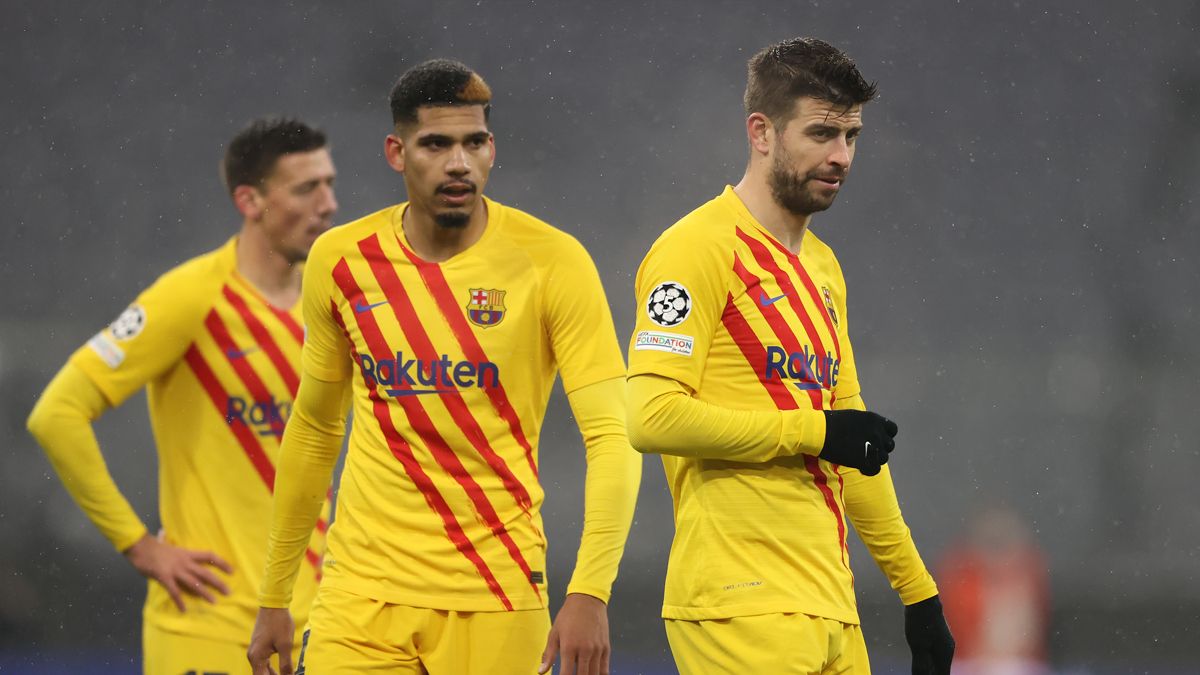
[[453, 366]]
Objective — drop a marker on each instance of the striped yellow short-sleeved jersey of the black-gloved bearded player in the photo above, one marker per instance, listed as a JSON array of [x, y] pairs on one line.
[[727, 310]]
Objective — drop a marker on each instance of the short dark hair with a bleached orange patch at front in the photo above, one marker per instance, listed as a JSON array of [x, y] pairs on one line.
[[439, 82]]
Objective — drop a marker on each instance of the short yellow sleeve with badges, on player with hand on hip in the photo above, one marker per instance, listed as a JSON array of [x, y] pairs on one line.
[[151, 336]]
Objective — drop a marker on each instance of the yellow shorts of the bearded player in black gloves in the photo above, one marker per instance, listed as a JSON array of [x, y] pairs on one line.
[[784, 644]]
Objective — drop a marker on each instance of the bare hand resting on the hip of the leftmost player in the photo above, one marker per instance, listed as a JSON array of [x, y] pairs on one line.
[[181, 571]]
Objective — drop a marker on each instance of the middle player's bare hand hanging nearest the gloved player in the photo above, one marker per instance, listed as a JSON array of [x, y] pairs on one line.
[[580, 636]]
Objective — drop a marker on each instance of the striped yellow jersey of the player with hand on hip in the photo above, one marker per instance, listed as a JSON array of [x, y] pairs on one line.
[[221, 369]]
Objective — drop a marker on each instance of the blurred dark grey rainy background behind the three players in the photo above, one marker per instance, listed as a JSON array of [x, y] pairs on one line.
[[1019, 236]]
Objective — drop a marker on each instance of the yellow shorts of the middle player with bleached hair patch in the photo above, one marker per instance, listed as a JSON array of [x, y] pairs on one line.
[[350, 634]]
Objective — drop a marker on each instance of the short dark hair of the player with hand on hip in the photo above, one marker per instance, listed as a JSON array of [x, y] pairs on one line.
[[251, 156]]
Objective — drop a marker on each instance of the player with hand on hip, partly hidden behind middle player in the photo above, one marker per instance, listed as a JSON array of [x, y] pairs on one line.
[[217, 344]]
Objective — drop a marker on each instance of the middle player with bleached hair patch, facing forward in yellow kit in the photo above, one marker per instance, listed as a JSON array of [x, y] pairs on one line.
[[448, 318]]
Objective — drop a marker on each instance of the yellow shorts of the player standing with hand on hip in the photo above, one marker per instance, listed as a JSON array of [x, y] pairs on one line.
[[175, 654]]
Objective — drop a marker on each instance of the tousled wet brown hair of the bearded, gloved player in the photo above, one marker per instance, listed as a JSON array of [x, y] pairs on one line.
[[802, 67]]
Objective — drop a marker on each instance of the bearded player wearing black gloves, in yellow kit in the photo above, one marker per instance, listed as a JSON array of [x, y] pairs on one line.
[[742, 377]]
